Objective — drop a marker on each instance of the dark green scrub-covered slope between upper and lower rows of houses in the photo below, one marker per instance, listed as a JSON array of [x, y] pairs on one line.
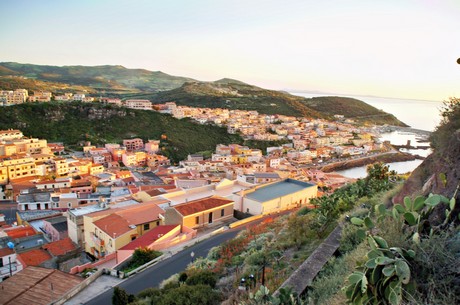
[[74, 122]]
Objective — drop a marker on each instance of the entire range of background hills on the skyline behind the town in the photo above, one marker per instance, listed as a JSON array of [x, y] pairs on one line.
[[160, 87]]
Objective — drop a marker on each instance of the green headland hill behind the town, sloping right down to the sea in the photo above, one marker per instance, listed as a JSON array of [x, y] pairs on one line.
[[227, 93]]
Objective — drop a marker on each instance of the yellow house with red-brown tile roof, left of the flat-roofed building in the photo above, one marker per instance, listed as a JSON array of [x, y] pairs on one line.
[[201, 212]]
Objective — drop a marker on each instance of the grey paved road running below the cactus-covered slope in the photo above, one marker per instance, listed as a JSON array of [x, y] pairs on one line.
[[154, 275]]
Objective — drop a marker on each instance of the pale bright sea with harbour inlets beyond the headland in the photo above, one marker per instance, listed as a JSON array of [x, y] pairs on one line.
[[418, 114]]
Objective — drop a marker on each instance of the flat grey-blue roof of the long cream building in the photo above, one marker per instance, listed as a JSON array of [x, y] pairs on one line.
[[277, 189]]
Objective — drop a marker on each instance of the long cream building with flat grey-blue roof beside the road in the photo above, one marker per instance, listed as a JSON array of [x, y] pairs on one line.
[[275, 197]]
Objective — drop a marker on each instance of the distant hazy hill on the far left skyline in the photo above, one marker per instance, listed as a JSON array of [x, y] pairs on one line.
[[103, 78]]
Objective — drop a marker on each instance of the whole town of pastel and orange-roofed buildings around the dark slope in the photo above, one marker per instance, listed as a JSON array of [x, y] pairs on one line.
[[76, 210]]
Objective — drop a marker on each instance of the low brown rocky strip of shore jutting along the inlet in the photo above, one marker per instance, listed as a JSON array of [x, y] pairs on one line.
[[386, 158]]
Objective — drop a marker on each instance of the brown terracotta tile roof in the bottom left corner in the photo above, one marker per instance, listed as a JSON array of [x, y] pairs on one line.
[[33, 286]]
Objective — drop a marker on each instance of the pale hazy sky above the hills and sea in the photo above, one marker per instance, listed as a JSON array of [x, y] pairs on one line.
[[392, 48]]
